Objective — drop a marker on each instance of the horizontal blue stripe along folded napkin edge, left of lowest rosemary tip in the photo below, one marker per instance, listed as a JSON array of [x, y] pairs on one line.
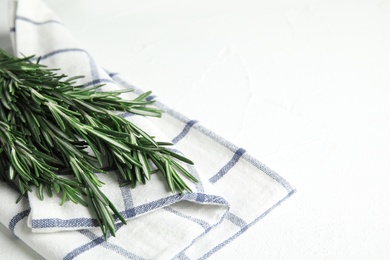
[[64, 223]]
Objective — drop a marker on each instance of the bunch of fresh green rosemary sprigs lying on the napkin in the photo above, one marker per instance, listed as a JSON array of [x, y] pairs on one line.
[[48, 121]]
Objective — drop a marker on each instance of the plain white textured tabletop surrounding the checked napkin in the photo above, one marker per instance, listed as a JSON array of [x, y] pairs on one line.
[[302, 85]]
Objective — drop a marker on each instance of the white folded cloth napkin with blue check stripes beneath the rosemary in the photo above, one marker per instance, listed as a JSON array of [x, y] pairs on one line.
[[234, 192]]
